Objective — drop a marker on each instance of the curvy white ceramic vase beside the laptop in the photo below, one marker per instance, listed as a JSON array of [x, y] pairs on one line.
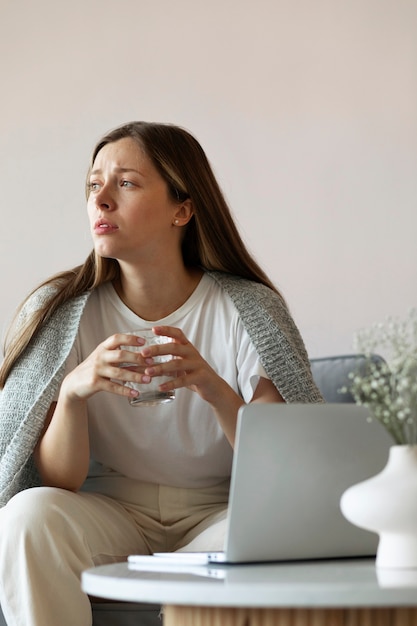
[[387, 504]]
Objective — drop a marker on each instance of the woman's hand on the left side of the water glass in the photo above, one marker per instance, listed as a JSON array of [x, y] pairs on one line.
[[105, 369]]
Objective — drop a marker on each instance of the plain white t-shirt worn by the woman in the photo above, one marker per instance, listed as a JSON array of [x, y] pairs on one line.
[[179, 443]]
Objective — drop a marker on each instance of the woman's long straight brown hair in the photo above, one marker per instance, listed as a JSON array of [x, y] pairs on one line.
[[211, 239]]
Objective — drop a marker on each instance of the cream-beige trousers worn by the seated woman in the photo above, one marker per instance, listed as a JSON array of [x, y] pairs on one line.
[[48, 536]]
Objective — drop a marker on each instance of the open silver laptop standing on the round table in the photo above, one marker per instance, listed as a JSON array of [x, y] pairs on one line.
[[291, 465]]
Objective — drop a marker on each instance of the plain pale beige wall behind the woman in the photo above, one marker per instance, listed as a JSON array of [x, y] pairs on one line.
[[306, 109]]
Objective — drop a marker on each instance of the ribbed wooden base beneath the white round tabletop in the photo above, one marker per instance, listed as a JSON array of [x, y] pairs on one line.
[[209, 616]]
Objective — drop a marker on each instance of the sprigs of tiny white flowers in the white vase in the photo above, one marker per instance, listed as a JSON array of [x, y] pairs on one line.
[[389, 389]]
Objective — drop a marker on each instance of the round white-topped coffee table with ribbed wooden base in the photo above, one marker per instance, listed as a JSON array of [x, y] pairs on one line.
[[328, 593]]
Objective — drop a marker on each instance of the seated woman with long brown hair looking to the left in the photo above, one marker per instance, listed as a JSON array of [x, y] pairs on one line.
[[117, 479]]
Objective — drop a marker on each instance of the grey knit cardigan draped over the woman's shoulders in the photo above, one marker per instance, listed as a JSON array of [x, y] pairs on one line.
[[37, 375]]
